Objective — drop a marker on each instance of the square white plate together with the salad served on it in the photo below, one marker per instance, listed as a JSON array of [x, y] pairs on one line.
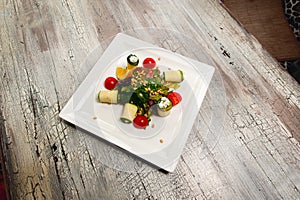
[[123, 90]]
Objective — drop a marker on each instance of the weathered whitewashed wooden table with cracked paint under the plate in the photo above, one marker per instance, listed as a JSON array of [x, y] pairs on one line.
[[251, 150]]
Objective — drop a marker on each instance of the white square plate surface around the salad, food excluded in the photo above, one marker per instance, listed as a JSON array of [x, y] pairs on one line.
[[102, 120]]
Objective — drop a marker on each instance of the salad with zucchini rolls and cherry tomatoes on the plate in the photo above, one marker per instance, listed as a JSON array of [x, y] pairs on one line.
[[143, 90]]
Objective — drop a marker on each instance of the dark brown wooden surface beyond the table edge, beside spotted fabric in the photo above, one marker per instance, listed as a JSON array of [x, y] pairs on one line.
[[267, 22]]
